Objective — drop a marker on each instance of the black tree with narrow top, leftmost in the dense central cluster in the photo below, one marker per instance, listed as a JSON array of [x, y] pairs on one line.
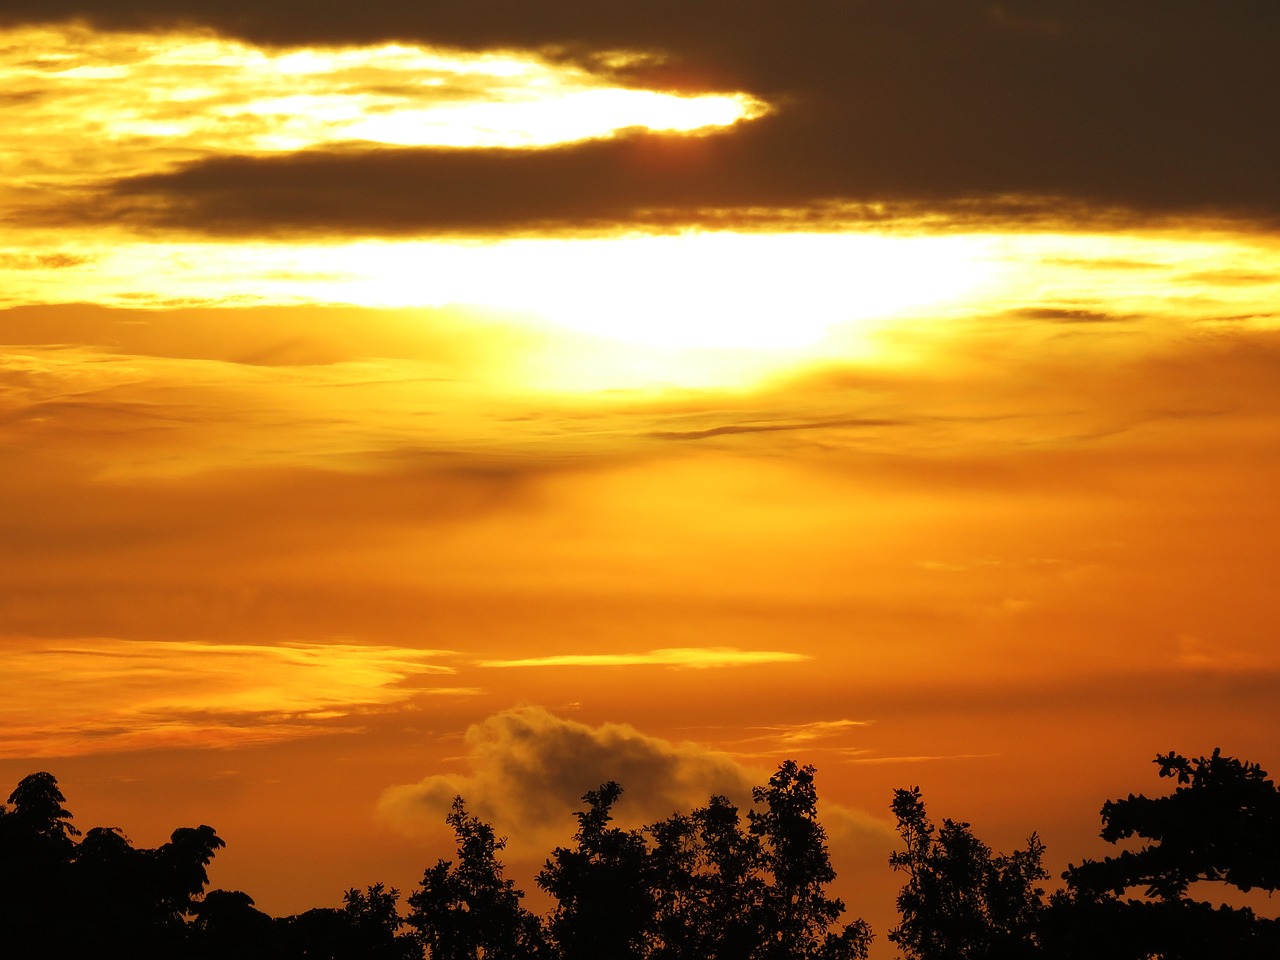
[[605, 908]]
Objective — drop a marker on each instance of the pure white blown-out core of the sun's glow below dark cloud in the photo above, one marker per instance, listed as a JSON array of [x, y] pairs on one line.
[[693, 290]]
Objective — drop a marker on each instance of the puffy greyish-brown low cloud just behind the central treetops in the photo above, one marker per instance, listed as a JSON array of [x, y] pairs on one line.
[[529, 770]]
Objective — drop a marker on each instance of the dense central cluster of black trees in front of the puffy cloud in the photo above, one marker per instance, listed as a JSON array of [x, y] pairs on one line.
[[710, 886]]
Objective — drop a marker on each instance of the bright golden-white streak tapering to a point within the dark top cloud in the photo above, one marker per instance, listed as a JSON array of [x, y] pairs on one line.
[[214, 95]]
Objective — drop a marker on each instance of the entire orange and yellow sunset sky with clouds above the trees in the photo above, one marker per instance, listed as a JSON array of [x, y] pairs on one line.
[[491, 397]]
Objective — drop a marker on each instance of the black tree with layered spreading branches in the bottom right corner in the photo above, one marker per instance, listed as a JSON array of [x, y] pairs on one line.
[[1220, 825]]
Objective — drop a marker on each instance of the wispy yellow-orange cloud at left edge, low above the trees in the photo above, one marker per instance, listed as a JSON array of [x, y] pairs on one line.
[[66, 698]]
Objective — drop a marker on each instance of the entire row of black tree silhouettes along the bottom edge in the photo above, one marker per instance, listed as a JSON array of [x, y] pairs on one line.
[[707, 885]]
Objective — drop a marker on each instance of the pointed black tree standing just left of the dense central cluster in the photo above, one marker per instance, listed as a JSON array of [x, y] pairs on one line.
[[470, 912]]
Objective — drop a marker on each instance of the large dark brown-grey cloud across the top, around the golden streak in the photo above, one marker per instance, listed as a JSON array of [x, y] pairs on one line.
[[1148, 106]]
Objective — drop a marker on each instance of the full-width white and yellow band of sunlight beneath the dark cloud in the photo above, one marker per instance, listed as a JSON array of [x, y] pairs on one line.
[[693, 309]]
